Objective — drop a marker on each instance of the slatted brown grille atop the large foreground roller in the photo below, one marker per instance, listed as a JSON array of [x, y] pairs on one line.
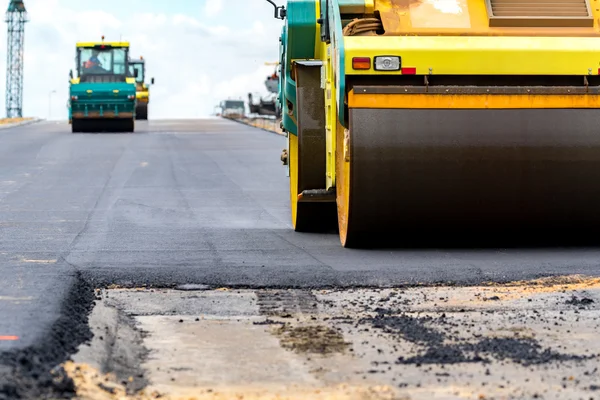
[[540, 13]]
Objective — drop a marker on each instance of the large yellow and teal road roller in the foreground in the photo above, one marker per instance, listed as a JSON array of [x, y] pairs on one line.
[[428, 116]]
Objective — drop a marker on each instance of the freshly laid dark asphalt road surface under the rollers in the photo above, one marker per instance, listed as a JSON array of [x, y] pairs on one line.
[[180, 202]]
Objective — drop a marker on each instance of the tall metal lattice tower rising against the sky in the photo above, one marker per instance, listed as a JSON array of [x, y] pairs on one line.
[[16, 17]]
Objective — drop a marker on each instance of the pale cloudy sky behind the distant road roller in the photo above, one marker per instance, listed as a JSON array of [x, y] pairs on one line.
[[199, 51]]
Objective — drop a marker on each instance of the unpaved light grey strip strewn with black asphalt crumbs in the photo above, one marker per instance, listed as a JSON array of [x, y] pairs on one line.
[[405, 343]]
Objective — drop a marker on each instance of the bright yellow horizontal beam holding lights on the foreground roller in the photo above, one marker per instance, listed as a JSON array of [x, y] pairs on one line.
[[489, 55]]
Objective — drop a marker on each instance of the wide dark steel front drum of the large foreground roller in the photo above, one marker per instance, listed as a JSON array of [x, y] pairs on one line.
[[467, 171]]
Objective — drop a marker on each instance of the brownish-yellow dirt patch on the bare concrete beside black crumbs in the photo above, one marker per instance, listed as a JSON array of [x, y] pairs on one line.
[[315, 339]]
